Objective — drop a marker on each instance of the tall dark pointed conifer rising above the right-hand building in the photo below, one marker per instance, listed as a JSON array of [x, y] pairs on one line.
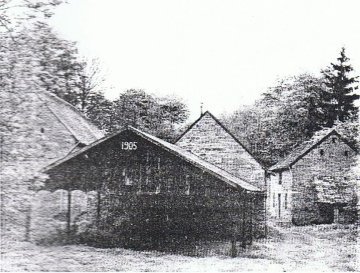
[[339, 96]]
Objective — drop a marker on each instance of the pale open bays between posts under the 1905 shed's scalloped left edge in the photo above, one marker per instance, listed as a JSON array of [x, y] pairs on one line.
[[49, 213]]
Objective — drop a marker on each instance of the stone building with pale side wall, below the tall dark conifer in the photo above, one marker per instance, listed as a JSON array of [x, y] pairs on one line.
[[312, 184]]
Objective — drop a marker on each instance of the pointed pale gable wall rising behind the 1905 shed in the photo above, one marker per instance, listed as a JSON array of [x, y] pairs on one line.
[[208, 140]]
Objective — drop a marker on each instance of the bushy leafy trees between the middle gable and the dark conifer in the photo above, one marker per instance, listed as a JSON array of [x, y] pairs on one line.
[[286, 115]]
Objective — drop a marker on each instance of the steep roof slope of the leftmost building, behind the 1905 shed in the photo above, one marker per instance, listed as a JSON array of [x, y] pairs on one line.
[[73, 120]]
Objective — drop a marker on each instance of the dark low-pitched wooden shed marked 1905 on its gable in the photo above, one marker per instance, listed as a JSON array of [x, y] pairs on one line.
[[160, 190]]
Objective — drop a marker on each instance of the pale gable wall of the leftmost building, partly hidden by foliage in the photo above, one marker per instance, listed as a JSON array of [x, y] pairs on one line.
[[33, 139]]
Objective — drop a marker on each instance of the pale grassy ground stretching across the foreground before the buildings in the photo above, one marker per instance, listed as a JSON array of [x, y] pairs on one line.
[[311, 248]]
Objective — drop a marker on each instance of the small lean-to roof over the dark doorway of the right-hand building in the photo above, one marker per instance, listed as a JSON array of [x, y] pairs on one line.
[[330, 190]]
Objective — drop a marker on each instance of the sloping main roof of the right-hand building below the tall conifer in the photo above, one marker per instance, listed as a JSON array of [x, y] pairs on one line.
[[304, 148]]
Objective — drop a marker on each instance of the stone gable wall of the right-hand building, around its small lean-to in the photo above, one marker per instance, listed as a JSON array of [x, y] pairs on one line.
[[333, 163]]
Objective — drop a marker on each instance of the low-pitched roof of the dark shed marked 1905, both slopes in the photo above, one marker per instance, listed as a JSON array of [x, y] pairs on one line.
[[175, 150]]
